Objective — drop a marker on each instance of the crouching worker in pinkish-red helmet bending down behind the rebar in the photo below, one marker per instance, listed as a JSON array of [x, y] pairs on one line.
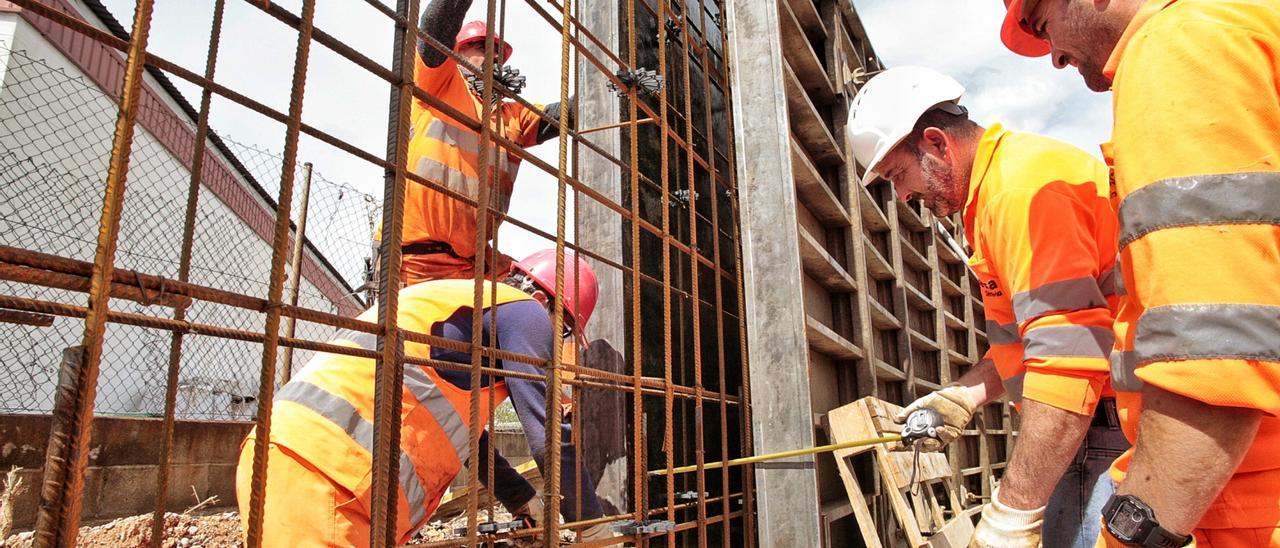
[[321, 454]]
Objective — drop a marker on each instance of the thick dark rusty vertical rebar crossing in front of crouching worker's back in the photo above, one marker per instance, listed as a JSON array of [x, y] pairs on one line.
[[391, 366]]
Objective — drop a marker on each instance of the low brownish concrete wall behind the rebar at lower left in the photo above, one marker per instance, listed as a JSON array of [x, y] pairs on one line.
[[122, 471]]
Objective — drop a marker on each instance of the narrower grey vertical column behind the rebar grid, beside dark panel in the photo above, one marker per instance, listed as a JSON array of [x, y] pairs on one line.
[[600, 230]]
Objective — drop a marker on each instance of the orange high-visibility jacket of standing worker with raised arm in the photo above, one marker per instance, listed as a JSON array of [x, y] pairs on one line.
[[445, 150]]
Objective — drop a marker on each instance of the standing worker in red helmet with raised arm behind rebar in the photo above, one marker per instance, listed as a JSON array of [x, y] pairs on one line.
[[440, 235]]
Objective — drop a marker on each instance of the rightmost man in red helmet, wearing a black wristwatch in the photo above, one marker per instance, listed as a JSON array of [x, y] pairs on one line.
[[1196, 150]]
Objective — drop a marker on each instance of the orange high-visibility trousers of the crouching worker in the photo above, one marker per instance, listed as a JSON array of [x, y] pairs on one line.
[[319, 513]]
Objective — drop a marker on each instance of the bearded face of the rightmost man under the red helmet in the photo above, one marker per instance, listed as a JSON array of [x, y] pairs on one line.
[[1082, 35]]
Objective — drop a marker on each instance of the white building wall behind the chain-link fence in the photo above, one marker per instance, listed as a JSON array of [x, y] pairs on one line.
[[56, 138]]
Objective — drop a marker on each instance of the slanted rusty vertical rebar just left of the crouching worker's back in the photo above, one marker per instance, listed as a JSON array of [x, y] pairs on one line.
[[276, 289]]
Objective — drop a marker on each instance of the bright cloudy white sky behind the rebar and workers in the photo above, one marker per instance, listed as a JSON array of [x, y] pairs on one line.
[[257, 58]]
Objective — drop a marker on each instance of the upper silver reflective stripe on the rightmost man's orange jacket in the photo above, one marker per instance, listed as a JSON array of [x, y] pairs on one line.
[[1201, 200]]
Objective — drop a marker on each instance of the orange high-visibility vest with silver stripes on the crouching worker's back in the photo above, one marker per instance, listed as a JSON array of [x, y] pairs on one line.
[[326, 414]]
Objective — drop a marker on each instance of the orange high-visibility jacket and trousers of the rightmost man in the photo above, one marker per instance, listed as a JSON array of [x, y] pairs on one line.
[[1196, 149]]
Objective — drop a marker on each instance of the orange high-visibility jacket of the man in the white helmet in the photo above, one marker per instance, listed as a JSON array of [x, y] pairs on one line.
[[1044, 235]]
